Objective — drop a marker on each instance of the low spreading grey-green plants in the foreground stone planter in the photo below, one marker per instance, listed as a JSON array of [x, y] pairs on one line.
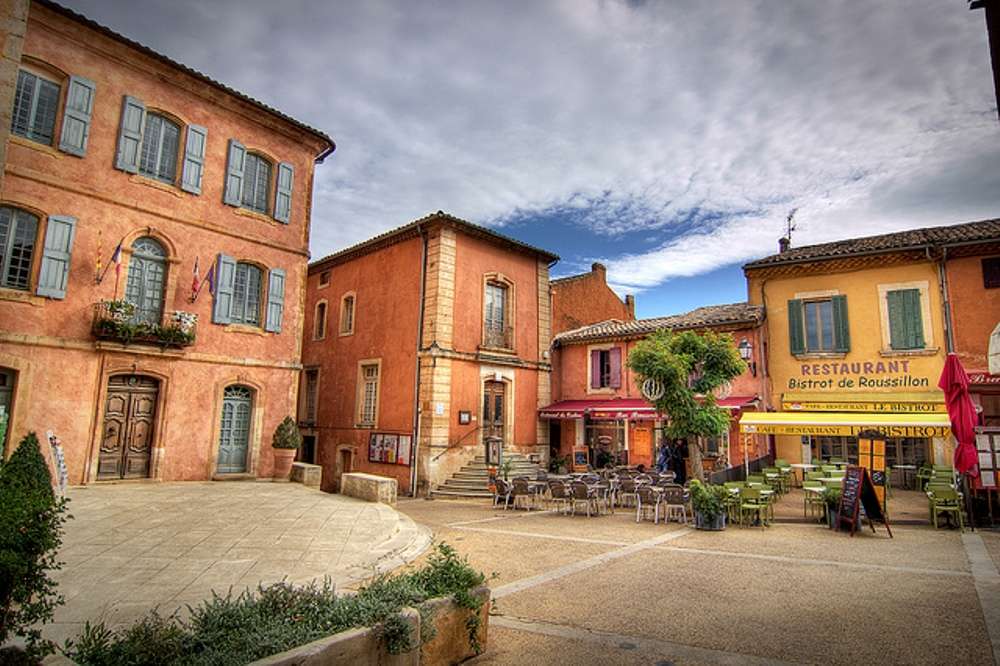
[[233, 630]]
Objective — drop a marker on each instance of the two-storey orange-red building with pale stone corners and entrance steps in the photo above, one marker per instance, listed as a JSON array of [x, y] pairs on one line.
[[420, 345]]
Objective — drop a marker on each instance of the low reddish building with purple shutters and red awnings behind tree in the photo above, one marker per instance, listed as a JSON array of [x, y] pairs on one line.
[[600, 407]]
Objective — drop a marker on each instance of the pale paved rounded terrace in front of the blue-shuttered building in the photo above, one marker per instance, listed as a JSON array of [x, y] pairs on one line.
[[134, 546]]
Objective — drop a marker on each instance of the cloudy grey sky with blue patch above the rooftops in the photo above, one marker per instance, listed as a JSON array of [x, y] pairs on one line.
[[666, 139]]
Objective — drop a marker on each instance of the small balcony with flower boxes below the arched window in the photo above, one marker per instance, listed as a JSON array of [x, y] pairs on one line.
[[116, 321]]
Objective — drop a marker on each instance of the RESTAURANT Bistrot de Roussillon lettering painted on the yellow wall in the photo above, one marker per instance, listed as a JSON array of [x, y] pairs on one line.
[[857, 375]]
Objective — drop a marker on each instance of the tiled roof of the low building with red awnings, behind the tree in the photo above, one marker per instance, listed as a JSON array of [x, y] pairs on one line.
[[703, 317]]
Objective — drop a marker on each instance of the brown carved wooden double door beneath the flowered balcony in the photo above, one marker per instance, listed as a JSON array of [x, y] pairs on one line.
[[129, 419]]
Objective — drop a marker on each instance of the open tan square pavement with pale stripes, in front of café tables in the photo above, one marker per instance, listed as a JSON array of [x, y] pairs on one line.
[[605, 590]]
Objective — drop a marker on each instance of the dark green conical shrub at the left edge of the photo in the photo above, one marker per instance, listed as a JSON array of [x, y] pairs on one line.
[[31, 520]]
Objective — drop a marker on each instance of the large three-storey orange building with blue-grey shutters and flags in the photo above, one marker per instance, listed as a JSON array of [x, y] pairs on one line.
[[112, 145]]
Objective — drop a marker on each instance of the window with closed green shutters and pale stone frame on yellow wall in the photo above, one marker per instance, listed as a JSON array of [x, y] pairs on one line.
[[905, 313]]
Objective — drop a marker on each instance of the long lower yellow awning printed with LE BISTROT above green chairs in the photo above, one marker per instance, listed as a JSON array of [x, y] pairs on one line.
[[835, 423]]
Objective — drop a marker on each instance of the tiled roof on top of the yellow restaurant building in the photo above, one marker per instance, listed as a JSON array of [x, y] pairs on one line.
[[956, 234]]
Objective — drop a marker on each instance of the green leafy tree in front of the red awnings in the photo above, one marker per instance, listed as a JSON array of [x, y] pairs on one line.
[[686, 369]]
